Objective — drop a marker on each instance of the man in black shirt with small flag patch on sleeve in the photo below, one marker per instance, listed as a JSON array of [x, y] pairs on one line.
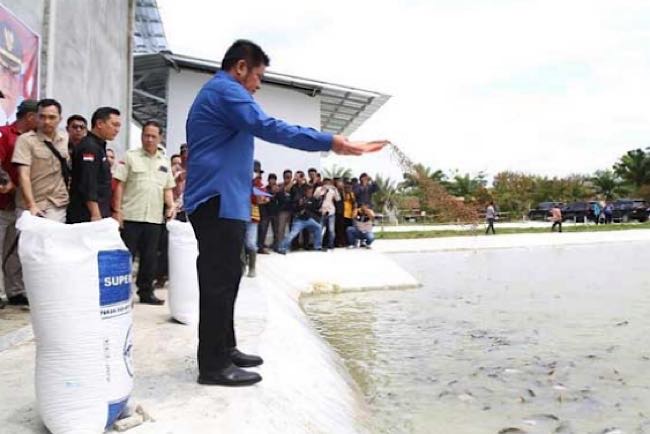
[[90, 190]]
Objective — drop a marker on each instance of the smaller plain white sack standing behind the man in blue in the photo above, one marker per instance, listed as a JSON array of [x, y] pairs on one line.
[[183, 280]]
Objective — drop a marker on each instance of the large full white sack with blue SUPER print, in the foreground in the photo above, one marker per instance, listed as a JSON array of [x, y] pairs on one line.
[[78, 281]]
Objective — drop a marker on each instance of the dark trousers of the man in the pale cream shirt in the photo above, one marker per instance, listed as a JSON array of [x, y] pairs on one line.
[[142, 240]]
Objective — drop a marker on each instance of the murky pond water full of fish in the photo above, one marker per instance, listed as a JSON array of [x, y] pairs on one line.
[[544, 340]]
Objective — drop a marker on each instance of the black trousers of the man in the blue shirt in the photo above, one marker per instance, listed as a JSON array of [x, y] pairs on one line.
[[220, 243]]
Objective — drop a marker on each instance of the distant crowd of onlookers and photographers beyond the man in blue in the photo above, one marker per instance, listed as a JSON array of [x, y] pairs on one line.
[[308, 212]]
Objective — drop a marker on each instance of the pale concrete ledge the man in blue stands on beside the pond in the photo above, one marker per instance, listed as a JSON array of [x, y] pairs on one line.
[[306, 388]]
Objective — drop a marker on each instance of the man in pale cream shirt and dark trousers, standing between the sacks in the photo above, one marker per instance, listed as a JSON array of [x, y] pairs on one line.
[[143, 200]]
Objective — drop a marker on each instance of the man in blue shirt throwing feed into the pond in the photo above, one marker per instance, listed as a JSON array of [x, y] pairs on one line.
[[221, 126]]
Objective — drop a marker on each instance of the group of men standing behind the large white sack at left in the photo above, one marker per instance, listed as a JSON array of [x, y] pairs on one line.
[[72, 177]]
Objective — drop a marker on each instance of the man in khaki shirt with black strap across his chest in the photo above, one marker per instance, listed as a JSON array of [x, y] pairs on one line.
[[42, 171]]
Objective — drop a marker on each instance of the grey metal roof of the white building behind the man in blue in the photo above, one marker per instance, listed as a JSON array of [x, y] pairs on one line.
[[343, 108]]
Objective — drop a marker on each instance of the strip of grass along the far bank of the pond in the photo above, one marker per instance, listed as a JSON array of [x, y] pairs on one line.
[[480, 230]]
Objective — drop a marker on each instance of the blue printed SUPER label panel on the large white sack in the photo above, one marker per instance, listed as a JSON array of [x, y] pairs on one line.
[[114, 276]]
